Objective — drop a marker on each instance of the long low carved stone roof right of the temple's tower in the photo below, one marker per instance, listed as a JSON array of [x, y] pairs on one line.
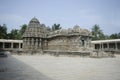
[[76, 30]]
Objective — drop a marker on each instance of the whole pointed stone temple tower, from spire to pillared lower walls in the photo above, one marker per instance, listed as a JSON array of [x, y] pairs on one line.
[[32, 38]]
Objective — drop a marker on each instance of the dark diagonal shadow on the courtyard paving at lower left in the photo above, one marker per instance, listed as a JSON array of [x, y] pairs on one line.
[[13, 69]]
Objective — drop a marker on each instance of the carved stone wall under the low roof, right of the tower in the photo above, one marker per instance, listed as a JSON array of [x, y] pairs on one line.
[[71, 43]]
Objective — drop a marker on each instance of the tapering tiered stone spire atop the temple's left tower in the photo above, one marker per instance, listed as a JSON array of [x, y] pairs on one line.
[[34, 29]]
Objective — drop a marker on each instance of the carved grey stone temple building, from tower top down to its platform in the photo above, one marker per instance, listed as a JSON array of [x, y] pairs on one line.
[[38, 38]]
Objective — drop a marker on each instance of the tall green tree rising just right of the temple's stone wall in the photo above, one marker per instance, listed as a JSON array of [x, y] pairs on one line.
[[97, 33]]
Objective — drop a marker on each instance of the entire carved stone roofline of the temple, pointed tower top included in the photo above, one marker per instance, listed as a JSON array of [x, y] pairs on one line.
[[35, 29]]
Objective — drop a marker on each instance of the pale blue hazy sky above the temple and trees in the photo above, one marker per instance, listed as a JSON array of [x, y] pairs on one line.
[[67, 13]]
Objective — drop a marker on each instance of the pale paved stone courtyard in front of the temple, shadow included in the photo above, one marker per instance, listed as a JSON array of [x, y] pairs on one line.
[[46, 67]]
